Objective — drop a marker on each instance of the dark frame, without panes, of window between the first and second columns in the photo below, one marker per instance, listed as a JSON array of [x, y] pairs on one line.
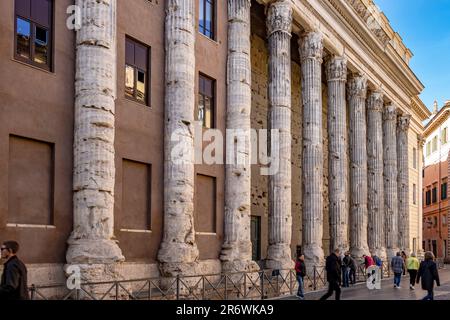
[[136, 69]]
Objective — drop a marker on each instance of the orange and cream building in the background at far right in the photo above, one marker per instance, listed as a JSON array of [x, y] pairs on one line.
[[435, 182]]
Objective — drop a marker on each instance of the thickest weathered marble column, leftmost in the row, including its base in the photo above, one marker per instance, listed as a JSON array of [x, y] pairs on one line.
[[92, 245]]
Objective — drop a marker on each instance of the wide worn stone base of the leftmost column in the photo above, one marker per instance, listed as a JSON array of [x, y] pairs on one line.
[[93, 251]]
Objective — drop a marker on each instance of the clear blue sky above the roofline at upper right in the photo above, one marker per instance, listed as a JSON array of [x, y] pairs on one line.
[[424, 26]]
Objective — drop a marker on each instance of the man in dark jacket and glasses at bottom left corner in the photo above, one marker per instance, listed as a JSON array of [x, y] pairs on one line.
[[13, 285]]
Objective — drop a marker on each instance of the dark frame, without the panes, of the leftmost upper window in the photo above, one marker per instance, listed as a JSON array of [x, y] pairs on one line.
[[49, 66]]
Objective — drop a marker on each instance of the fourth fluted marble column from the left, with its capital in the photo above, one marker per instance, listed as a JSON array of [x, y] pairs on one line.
[[279, 24]]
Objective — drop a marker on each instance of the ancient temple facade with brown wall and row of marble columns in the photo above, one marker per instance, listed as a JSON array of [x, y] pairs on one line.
[[105, 105]]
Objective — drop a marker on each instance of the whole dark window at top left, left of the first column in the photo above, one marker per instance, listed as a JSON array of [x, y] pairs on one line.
[[33, 32]]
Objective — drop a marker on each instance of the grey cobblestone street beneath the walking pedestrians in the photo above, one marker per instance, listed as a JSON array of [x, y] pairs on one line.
[[388, 292]]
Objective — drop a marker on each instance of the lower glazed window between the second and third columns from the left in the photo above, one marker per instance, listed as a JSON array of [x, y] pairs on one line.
[[206, 101]]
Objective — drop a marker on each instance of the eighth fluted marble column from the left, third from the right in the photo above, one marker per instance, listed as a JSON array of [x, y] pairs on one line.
[[375, 206]]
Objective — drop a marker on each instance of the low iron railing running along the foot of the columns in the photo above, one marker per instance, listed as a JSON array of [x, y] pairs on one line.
[[264, 284]]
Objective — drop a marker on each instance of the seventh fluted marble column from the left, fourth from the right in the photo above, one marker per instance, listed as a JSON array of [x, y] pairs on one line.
[[357, 92]]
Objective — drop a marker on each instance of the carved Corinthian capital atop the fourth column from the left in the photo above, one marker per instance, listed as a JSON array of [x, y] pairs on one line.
[[279, 18]]
